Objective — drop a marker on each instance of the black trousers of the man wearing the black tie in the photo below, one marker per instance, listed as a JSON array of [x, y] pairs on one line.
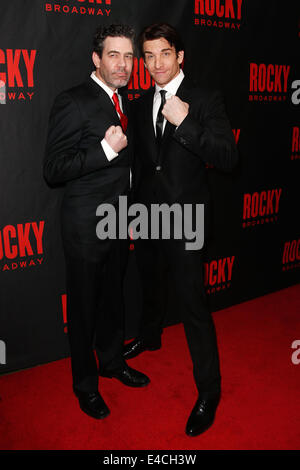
[[158, 259]]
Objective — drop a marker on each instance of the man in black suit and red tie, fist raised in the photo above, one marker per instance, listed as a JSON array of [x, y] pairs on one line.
[[89, 150]]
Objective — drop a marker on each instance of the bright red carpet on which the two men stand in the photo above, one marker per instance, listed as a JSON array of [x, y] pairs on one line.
[[259, 408]]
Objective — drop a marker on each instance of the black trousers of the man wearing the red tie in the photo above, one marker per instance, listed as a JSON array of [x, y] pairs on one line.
[[95, 313]]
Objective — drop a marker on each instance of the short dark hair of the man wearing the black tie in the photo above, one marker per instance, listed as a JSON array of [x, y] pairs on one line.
[[158, 31]]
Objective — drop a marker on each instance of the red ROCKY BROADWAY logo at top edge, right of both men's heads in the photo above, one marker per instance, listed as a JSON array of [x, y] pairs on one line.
[[222, 14]]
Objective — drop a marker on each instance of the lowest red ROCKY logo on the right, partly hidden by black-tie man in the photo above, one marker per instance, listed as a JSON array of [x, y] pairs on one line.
[[218, 274]]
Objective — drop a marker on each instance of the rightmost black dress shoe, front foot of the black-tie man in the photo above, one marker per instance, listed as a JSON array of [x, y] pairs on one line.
[[202, 415]]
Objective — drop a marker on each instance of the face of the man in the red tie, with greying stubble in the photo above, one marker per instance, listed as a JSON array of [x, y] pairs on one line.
[[115, 66]]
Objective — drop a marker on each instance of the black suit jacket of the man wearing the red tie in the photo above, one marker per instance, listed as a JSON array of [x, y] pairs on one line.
[[74, 156]]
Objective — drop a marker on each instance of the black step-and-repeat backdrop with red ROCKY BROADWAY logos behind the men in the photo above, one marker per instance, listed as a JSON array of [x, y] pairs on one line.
[[249, 49]]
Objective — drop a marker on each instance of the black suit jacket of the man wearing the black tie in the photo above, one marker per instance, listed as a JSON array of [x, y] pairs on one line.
[[205, 136]]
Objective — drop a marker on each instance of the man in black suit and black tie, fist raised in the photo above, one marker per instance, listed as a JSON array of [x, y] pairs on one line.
[[178, 129]]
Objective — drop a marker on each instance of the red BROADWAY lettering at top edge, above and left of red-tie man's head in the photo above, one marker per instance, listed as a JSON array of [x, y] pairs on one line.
[[80, 7]]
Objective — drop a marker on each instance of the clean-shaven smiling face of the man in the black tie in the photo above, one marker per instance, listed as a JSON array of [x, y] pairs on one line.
[[162, 61]]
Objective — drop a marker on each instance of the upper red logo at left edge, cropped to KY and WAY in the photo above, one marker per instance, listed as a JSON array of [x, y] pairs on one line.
[[17, 74]]
